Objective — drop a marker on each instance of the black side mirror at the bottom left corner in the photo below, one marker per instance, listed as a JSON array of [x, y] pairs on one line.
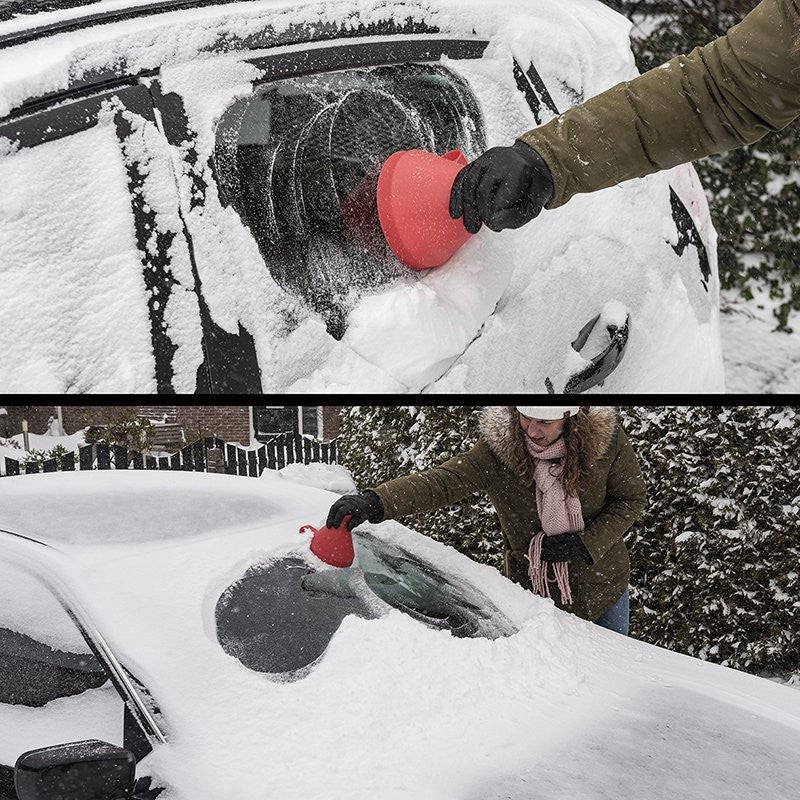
[[75, 771]]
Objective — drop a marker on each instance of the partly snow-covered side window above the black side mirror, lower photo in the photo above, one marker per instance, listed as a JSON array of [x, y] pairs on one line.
[[52, 688]]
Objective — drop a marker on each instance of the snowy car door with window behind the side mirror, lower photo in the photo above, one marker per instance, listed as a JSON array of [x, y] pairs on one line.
[[59, 681]]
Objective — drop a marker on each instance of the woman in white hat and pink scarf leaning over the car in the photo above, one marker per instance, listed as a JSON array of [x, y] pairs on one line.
[[566, 486]]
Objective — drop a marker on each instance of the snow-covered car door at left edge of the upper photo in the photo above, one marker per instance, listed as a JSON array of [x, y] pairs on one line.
[[97, 286]]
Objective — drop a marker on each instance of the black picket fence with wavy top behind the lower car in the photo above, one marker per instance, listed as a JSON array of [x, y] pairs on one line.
[[205, 455]]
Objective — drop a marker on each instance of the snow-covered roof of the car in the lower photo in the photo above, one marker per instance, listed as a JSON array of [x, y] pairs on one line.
[[98, 507]]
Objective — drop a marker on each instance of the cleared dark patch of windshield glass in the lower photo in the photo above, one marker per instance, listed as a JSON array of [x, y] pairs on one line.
[[280, 616]]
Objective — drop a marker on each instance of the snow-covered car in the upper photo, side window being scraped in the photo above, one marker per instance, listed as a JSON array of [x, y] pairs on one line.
[[177, 211]]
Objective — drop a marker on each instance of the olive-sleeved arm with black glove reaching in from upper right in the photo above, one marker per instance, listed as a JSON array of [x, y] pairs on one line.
[[729, 93]]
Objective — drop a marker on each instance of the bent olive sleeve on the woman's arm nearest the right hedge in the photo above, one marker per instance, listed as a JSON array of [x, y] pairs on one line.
[[626, 494]]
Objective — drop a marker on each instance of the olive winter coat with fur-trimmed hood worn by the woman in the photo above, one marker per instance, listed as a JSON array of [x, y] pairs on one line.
[[499, 464]]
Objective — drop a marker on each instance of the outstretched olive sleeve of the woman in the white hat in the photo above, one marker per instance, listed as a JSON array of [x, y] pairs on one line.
[[441, 486]]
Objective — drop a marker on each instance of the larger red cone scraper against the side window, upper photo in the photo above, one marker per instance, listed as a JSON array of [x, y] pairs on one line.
[[414, 207]]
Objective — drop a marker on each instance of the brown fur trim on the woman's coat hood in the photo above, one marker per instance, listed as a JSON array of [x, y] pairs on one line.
[[500, 429]]
